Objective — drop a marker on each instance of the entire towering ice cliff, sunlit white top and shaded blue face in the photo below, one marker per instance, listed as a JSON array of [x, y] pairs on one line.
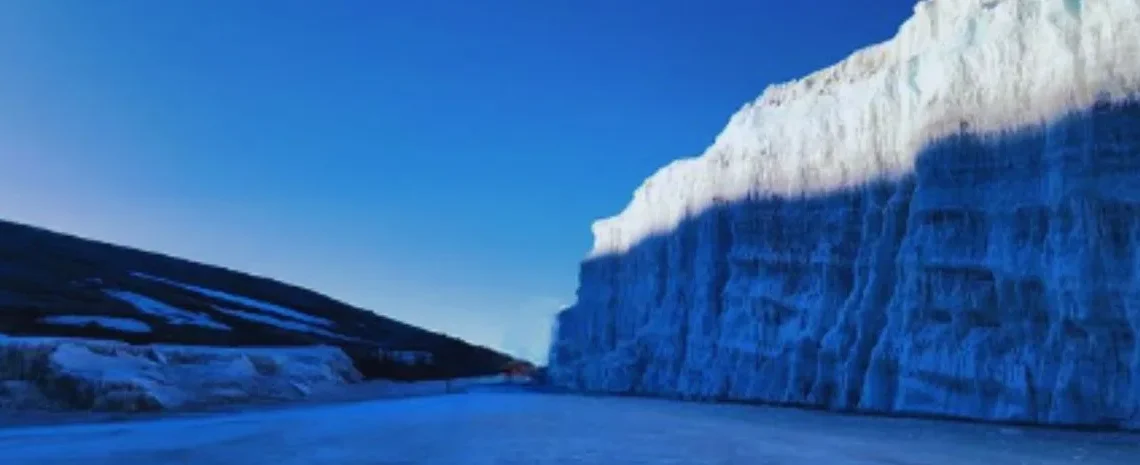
[[942, 224]]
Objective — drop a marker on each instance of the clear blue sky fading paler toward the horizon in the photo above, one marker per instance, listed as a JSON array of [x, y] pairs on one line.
[[438, 162]]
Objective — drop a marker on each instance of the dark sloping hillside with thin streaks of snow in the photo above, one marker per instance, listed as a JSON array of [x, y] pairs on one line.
[[59, 285]]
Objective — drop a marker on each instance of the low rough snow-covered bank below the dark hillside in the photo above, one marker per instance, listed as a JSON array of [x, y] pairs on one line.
[[109, 376]]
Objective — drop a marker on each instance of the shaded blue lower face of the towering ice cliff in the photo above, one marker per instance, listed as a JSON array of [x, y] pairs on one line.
[[999, 282]]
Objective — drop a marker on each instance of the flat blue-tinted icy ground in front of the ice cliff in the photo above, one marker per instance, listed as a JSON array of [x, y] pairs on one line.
[[502, 428]]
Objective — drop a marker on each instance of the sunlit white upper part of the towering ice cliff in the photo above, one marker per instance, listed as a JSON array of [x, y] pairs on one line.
[[996, 64]]
